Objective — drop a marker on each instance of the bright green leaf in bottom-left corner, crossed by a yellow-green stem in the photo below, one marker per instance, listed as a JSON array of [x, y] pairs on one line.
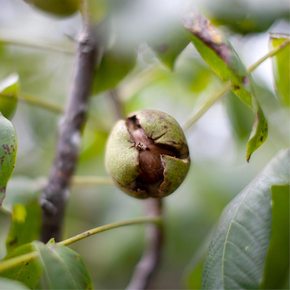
[[28, 273]]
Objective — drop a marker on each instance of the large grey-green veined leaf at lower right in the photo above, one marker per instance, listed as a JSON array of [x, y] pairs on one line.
[[238, 249]]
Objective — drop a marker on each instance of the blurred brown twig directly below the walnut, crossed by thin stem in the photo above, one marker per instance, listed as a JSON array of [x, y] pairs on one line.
[[151, 258]]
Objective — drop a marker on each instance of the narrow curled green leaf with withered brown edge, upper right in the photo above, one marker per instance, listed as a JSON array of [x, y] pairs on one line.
[[224, 61]]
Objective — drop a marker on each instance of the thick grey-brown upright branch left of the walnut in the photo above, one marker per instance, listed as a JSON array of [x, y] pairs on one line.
[[55, 193]]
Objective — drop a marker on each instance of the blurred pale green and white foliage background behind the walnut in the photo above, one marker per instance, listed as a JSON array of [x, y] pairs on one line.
[[216, 142]]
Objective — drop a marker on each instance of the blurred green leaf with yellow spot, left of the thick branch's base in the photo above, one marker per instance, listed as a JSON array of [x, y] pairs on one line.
[[22, 201]]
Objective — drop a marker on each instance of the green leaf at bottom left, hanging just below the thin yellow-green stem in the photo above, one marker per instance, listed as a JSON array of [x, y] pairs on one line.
[[63, 268]]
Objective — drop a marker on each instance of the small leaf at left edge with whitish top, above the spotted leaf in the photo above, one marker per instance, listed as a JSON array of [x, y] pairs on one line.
[[9, 91]]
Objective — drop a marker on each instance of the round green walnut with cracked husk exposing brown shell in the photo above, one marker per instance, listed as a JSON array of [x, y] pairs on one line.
[[147, 154]]
